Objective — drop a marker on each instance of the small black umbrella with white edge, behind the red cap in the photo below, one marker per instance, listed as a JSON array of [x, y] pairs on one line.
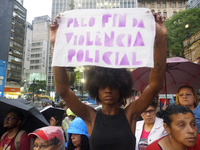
[[49, 111]]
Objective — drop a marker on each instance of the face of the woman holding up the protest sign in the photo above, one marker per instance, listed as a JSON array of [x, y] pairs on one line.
[[108, 95]]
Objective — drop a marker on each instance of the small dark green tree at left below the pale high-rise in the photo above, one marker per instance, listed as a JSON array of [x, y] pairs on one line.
[[37, 86]]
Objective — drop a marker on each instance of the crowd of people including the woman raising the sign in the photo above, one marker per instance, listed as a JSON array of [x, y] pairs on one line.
[[114, 127]]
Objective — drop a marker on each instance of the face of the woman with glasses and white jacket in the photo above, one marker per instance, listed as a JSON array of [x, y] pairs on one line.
[[149, 115]]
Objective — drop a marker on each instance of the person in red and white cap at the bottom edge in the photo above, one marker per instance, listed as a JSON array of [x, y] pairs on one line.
[[47, 138]]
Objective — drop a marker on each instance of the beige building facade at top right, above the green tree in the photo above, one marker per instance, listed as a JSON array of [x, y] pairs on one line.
[[166, 8]]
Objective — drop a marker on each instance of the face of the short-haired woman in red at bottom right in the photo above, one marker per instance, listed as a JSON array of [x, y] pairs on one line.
[[183, 129]]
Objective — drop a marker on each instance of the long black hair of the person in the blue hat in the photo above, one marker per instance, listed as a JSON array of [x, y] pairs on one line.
[[84, 143]]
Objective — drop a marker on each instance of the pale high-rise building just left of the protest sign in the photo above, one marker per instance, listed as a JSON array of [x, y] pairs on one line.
[[37, 56]]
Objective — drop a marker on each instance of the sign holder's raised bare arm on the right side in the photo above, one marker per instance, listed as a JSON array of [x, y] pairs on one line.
[[157, 73]]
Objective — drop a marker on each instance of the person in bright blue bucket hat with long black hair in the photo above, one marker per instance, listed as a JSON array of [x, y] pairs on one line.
[[78, 135]]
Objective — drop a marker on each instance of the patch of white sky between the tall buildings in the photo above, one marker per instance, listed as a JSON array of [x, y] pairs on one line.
[[36, 8]]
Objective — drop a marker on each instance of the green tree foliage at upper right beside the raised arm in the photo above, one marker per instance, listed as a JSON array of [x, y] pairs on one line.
[[177, 32]]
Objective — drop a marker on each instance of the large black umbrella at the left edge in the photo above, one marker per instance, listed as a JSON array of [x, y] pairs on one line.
[[33, 119]]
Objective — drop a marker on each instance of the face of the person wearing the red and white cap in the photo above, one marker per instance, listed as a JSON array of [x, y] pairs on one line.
[[40, 144]]
